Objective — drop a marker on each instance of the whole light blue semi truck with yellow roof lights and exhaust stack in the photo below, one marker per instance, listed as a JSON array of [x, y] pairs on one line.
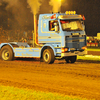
[[56, 36]]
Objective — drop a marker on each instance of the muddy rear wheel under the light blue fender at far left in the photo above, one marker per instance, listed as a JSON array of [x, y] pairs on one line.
[[7, 53]]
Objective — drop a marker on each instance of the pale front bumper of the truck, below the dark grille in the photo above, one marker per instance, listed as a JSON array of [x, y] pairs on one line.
[[70, 53]]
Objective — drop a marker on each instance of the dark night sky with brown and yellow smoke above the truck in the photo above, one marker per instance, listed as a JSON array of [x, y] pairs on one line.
[[18, 14]]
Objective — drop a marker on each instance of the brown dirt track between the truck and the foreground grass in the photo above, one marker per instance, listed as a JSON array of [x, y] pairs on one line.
[[79, 79]]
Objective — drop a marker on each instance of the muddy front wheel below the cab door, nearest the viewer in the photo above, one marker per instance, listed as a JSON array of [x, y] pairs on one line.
[[48, 56]]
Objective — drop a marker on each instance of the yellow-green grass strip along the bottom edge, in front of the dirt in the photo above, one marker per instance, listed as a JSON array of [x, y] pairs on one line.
[[12, 93]]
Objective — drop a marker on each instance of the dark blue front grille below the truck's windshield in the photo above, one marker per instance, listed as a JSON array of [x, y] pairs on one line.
[[76, 41]]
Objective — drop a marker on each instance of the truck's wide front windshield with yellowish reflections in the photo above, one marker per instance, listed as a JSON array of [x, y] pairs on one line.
[[71, 25]]
